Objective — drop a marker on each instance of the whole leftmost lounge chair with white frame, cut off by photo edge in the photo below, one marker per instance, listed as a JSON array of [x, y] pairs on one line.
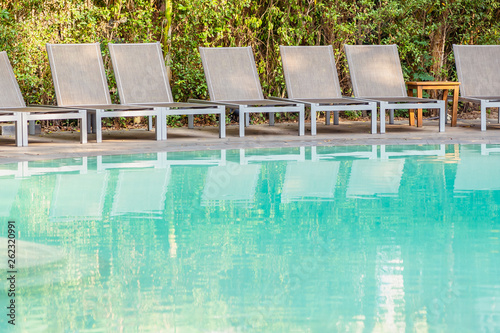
[[13, 107]]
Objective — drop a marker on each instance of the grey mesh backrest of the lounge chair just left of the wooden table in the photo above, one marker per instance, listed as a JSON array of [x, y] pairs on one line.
[[375, 71]]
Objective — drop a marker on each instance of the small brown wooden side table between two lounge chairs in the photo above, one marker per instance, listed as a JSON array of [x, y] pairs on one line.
[[436, 85]]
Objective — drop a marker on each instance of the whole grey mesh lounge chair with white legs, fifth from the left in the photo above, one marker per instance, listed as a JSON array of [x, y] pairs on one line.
[[311, 78]]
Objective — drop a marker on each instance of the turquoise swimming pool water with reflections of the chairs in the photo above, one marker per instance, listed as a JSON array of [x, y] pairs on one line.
[[315, 239]]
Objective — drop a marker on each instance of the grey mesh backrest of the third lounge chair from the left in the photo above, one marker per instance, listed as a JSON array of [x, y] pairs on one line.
[[140, 72]]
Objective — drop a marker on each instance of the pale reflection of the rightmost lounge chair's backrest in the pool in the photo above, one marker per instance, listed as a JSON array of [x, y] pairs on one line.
[[477, 172]]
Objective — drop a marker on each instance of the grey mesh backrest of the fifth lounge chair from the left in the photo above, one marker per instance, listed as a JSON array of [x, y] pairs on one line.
[[310, 72]]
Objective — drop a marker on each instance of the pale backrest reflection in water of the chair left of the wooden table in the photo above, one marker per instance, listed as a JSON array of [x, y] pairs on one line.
[[380, 177]]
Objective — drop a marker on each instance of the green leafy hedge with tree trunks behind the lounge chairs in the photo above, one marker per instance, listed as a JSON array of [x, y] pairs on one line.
[[424, 31]]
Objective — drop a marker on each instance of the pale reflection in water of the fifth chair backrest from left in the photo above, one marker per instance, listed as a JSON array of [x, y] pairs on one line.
[[310, 181]]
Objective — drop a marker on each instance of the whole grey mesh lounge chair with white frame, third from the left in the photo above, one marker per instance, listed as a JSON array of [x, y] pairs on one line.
[[142, 79]]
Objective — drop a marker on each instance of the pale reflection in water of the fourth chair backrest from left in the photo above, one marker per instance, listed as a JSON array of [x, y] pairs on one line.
[[230, 183]]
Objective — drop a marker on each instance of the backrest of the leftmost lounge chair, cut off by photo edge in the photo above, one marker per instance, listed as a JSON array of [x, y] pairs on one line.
[[10, 94]]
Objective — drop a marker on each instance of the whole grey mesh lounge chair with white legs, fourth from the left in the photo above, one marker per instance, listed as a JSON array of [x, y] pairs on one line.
[[233, 81]]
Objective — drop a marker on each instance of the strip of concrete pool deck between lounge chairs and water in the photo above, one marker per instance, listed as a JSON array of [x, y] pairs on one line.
[[66, 144]]
